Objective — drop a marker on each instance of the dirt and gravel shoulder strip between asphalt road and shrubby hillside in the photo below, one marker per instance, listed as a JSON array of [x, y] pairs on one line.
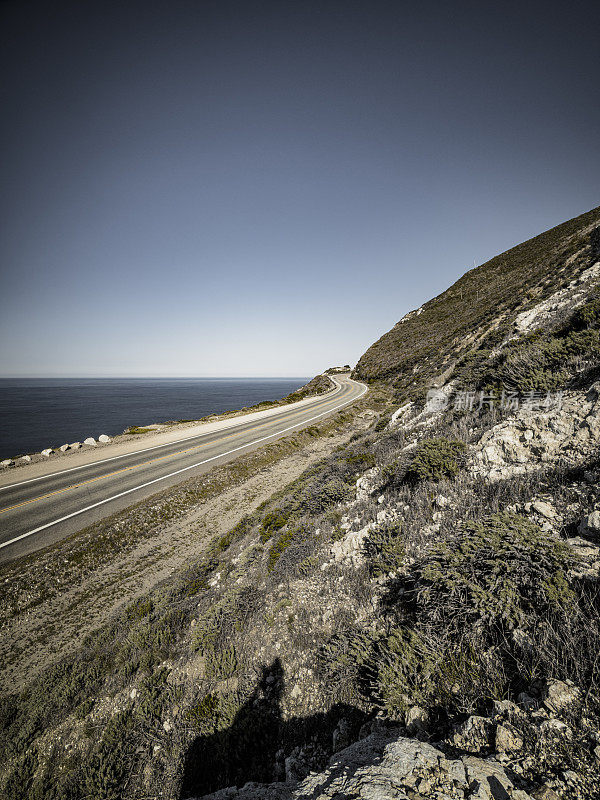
[[50, 600]]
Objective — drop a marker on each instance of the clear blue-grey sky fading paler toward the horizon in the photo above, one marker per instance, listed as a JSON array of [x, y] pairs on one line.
[[264, 188]]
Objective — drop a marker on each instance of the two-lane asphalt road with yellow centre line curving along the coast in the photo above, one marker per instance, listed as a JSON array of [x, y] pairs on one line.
[[45, 509]]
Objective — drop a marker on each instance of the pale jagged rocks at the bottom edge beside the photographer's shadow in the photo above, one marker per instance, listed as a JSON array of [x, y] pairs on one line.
[[480, 760]]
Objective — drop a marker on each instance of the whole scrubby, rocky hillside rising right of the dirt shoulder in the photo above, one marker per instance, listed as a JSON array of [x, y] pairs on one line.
[[415, 616]]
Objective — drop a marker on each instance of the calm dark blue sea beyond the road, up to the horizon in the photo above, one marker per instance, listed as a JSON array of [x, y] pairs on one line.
[[37, 412]]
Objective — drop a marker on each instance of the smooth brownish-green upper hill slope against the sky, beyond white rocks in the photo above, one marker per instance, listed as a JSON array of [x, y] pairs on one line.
[[427, 341]]
